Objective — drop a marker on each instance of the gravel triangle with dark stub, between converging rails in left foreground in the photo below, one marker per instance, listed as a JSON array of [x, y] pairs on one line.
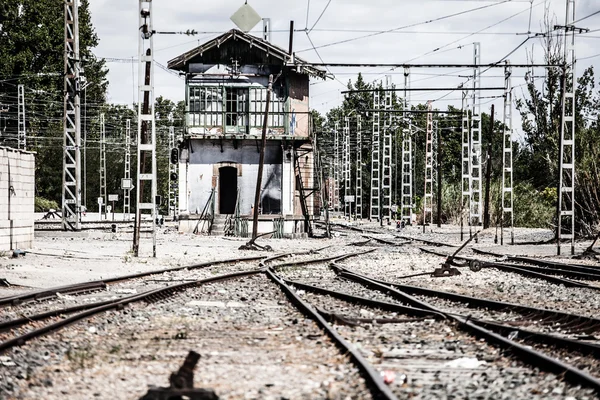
[[253, 343]]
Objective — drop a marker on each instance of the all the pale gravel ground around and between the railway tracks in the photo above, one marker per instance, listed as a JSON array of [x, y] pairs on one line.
[[253, 343]]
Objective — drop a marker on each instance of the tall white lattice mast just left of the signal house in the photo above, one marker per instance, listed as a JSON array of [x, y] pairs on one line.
[[146, 132]]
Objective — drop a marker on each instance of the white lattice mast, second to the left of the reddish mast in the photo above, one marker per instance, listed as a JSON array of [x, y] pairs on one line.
[[386, 175]]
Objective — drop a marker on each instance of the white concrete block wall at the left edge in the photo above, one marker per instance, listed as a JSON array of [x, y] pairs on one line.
[[17, 193]]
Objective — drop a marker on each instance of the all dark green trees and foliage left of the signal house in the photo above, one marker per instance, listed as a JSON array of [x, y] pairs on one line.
[[32, 51]]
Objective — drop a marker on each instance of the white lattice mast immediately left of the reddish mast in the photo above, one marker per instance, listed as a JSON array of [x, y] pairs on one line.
[[407, 181]]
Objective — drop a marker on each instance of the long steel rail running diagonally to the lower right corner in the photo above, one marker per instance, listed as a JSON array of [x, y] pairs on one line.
[[527, 354]]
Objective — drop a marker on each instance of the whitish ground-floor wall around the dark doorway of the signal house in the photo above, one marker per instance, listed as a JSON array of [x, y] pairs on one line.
[[201, 167]]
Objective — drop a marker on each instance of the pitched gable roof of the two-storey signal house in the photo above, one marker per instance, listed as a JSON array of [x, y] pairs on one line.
[[179, 63]]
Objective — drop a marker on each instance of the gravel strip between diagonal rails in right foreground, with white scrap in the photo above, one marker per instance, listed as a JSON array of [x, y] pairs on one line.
[[431, 359]]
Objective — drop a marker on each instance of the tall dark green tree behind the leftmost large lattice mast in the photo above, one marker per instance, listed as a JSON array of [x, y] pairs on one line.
[[31, 53]]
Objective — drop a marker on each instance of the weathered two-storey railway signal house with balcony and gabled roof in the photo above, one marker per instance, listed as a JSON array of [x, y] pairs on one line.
[[226, 93]]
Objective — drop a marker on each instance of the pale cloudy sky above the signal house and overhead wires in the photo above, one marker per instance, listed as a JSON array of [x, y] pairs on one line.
[[423, 31]]
